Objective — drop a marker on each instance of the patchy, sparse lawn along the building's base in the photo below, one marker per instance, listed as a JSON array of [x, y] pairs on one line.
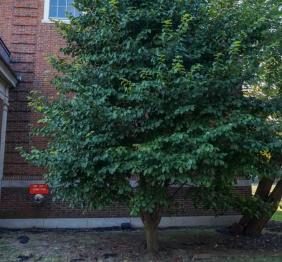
[[195, 244]]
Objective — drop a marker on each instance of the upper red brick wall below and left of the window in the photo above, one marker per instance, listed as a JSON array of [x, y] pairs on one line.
[[30, 42]]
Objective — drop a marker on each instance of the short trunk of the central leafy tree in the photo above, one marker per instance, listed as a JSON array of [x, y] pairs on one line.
[[151, 222]]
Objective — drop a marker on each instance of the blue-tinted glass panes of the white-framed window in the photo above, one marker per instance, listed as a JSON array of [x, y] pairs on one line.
[[60, 8]]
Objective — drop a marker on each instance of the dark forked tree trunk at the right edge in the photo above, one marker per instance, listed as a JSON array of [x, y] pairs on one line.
[[254, 226]]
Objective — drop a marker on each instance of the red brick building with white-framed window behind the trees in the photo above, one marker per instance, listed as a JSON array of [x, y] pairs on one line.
[[29, 34]]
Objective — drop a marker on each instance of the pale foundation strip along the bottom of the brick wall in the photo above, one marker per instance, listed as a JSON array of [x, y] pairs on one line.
[[116, 222]]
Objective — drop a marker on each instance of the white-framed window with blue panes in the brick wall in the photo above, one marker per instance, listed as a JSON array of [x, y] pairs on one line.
[[58, 9]]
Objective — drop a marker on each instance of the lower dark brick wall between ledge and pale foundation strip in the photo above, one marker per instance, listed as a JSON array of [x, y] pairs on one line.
[[17, 203]]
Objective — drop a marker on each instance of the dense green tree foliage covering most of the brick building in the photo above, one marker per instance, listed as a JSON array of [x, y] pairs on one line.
[[160, 90]]
